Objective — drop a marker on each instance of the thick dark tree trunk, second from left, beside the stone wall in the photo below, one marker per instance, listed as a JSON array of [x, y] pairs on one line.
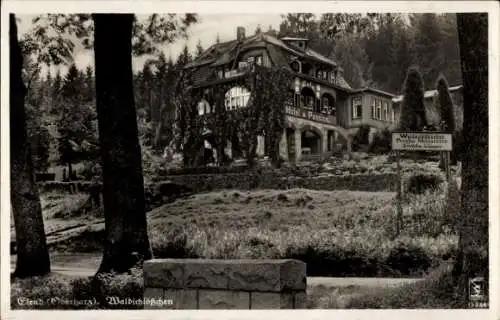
[[123, 186]]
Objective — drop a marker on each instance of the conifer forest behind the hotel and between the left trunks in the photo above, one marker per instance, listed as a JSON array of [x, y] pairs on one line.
[[374, 50]]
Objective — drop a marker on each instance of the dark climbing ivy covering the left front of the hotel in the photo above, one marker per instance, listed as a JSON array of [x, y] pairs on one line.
[[264, 115]]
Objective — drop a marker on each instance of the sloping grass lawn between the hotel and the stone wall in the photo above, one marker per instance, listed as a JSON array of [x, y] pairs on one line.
[[337, 233]]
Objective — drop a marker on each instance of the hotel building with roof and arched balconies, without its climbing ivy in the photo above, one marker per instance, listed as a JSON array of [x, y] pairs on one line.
[[322, 110]]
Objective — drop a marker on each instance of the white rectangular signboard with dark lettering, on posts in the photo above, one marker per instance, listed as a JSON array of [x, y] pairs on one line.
[[422, 141]]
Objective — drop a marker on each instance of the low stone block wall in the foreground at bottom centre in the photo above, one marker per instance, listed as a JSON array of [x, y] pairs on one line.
[[224, 284]]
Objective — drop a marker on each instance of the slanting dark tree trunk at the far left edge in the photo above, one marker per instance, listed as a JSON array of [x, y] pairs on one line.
[[32, 253]]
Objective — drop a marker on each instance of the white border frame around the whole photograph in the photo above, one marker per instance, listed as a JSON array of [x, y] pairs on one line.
[[212, 7]]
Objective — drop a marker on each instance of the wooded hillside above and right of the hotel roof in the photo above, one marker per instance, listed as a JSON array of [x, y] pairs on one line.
[[376, 49]]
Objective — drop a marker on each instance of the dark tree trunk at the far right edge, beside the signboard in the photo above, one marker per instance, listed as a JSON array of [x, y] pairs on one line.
[[473, 243]]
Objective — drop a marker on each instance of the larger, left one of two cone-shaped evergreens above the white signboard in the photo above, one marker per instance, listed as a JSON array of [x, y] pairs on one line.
[[413, 117]]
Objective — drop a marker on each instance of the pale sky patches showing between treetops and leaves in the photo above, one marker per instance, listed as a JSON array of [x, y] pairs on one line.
[[205, 31]]
